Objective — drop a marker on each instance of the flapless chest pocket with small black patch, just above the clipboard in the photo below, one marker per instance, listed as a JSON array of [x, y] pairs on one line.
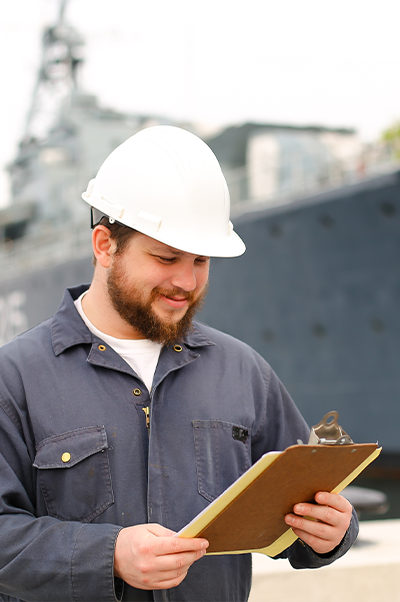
[[222, 454]]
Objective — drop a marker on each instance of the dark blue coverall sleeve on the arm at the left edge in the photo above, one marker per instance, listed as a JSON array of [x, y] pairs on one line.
[[43, 558]]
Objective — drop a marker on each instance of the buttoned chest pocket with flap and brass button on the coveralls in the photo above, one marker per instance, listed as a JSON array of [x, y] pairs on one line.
[[74, 474]]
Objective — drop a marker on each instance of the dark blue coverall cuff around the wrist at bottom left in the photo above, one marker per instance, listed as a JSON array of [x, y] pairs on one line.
[[92, 564]]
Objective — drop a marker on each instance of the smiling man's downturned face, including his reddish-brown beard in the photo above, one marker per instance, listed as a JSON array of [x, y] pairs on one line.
[[157, 289]]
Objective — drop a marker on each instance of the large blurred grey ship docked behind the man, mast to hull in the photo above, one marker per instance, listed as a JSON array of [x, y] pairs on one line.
[[317, 292]]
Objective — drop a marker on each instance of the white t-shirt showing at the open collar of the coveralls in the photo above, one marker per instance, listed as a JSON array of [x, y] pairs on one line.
[[141, 354]]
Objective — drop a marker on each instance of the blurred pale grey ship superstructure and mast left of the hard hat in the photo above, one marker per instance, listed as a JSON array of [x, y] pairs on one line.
[[67, 136]]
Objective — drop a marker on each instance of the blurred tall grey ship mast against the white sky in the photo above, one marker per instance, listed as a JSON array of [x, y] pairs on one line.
[[57, 76]]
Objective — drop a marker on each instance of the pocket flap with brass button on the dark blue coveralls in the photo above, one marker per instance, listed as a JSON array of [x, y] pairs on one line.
[[67, 449]]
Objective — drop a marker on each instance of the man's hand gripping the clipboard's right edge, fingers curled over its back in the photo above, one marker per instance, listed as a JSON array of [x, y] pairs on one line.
[[330, 519]]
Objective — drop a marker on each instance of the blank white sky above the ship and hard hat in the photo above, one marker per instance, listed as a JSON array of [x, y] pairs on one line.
[[216, 62]]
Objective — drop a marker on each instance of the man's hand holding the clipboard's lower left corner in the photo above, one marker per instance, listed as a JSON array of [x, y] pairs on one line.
[[149, 557]]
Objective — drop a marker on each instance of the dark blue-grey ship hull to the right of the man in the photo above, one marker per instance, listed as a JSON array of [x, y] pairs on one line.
[[317, 293]]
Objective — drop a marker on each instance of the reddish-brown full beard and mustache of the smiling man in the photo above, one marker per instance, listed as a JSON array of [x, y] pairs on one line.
[[129, 303]]
